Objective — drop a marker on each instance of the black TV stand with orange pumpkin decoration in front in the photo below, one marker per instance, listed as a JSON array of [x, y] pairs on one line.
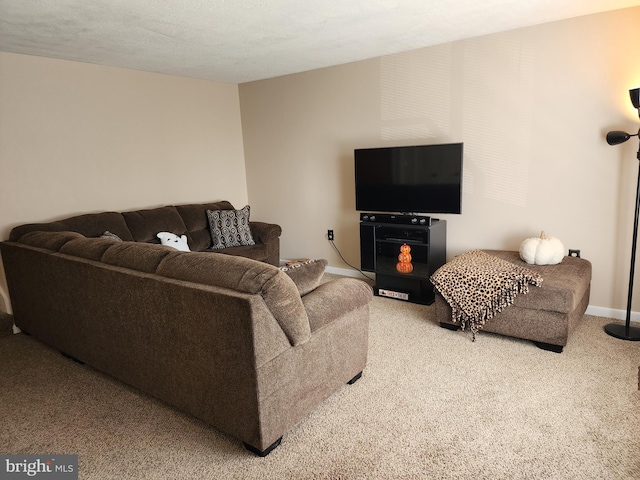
[[381, 236]]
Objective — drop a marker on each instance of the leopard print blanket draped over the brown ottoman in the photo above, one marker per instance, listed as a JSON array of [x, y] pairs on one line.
[[478, 285]]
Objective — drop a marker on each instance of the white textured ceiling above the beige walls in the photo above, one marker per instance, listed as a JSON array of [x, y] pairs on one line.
[[244, 40]]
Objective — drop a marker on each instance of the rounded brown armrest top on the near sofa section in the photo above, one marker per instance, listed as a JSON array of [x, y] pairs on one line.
[[335, 298]]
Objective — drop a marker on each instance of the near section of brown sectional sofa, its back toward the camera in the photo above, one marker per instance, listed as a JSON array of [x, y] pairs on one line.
[[225, 338]]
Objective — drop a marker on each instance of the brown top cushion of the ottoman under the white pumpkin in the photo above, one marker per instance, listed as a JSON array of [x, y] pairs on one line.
[[563, 285]]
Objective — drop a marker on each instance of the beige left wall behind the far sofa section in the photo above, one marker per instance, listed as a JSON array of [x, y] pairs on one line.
[[78, 138]]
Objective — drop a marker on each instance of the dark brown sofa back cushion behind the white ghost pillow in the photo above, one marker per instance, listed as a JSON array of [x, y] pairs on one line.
[[146, 224]]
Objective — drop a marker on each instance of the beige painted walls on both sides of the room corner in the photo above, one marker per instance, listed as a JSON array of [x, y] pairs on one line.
[[532, 106]]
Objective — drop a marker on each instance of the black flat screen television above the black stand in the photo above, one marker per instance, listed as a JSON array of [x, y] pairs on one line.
[[415, 179]]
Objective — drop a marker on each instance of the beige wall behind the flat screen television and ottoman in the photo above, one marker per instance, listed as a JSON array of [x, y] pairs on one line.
[[532, 107]]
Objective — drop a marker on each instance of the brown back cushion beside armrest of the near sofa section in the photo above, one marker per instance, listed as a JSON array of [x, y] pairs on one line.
[[248, 276]]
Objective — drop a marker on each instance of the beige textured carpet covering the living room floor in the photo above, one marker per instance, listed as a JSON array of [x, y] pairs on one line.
[[431, 404]]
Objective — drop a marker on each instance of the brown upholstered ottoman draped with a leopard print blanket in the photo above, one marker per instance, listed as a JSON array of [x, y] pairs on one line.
[[548, 314]]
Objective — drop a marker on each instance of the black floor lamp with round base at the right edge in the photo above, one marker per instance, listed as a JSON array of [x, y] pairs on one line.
[[626, 331]]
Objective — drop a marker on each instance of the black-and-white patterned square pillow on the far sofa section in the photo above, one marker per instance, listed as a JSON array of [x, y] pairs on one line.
[[229, 228]]
